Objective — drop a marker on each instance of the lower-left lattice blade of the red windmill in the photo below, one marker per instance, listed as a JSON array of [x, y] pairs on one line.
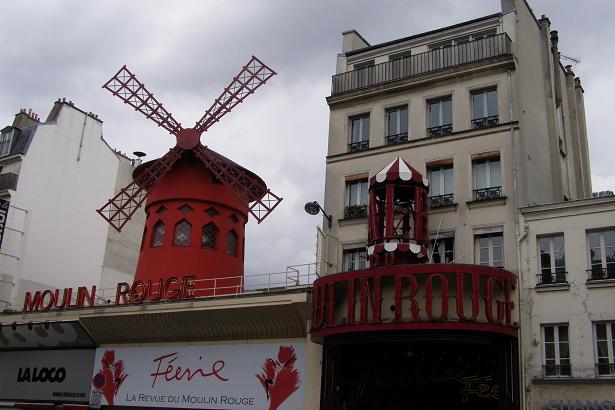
[[122, 206]]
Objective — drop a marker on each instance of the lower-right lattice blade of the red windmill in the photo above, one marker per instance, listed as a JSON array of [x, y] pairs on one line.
[[245, 185]]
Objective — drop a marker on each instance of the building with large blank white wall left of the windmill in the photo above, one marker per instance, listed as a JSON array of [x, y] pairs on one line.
[[55, 174]]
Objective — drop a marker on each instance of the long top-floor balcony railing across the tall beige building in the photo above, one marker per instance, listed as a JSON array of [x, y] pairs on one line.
[[423, 63]]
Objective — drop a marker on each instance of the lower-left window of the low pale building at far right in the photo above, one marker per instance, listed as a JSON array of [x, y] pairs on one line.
[[556, 350]]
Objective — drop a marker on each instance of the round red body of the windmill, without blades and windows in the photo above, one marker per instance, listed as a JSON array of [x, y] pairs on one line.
[[190, 183]]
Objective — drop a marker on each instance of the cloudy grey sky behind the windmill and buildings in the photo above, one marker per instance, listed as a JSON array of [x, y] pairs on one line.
[[187, 51]]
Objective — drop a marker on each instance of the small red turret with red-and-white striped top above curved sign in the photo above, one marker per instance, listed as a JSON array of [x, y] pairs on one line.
[[398, 216]]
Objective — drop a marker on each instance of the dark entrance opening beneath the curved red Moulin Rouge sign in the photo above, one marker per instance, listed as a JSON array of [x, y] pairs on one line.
[[420, 371]]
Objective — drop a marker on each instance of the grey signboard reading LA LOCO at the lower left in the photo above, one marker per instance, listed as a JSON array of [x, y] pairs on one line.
[[46, 375]]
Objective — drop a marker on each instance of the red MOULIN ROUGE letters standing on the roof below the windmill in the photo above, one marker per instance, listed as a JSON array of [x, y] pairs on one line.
[[172, 289]]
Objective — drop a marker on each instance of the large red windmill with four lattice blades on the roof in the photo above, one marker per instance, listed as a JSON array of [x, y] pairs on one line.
[[197, 200]]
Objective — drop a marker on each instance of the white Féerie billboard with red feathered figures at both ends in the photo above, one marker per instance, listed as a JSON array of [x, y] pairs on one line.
[[240, 376]]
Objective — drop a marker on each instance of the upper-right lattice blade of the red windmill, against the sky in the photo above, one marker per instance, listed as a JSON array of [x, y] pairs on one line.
[[250, 78]]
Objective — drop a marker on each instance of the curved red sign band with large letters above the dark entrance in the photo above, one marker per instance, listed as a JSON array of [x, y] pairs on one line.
[[451, 296]]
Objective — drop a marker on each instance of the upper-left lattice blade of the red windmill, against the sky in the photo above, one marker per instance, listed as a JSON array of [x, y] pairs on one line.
[[125, 85]]
